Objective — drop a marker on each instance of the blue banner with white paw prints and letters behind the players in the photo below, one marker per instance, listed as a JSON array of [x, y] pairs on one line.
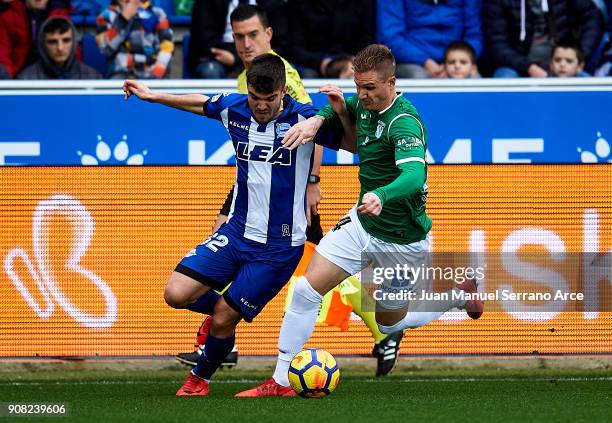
[[464, 127]]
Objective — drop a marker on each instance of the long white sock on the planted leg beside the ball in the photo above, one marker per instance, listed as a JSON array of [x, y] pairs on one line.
[[297, 327]]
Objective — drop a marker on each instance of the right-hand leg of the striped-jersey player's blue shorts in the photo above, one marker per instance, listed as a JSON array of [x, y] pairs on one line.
[[260, 279]]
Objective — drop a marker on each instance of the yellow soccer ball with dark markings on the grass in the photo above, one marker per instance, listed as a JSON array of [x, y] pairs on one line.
[[314, 373]]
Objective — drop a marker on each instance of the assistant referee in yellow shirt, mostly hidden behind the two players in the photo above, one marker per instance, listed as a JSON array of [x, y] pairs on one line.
[[252, 37]]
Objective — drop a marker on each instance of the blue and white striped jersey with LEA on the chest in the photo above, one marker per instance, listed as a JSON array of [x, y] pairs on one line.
[[269, 204]]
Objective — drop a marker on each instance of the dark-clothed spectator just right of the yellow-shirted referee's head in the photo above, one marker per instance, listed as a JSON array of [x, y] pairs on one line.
[[323, 30]]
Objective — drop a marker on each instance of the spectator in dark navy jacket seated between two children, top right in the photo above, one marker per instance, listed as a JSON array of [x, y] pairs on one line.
[[520, 34]]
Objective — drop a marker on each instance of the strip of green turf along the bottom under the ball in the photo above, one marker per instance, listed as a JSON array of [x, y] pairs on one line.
[[409, 396]]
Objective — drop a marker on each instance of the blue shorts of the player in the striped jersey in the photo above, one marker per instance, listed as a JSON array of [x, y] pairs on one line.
[[258, 271]]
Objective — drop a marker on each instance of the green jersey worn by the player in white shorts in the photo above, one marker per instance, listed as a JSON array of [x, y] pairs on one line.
[[391, 145]]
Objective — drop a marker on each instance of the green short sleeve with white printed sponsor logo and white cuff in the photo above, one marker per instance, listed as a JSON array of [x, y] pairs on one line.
[[408, 136]]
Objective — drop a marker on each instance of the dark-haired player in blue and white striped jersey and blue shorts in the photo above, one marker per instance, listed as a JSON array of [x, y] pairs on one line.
[[262, 242]]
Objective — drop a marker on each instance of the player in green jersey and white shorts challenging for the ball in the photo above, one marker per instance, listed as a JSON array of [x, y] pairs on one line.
[[388, 226]]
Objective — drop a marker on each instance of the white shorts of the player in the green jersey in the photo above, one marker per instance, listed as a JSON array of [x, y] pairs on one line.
[[351, 248]]
